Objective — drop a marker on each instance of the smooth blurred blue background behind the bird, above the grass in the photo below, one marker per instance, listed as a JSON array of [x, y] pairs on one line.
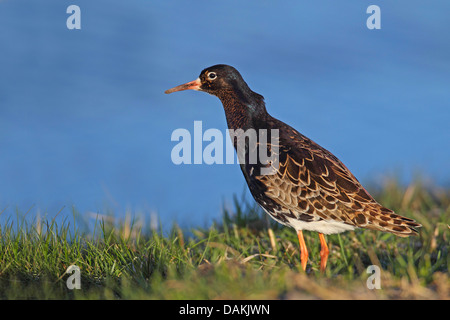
[[85, 123]]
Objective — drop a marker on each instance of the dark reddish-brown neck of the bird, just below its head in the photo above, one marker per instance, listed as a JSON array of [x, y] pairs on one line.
[[242, 110]]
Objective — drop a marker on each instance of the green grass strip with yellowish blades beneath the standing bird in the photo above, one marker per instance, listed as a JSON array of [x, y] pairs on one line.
[[244, 256]]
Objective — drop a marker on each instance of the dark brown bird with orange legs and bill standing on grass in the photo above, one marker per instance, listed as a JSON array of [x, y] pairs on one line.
[[309, 188]]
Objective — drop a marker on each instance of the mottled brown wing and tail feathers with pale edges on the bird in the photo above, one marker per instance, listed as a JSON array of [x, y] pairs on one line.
[[313, 182]]
